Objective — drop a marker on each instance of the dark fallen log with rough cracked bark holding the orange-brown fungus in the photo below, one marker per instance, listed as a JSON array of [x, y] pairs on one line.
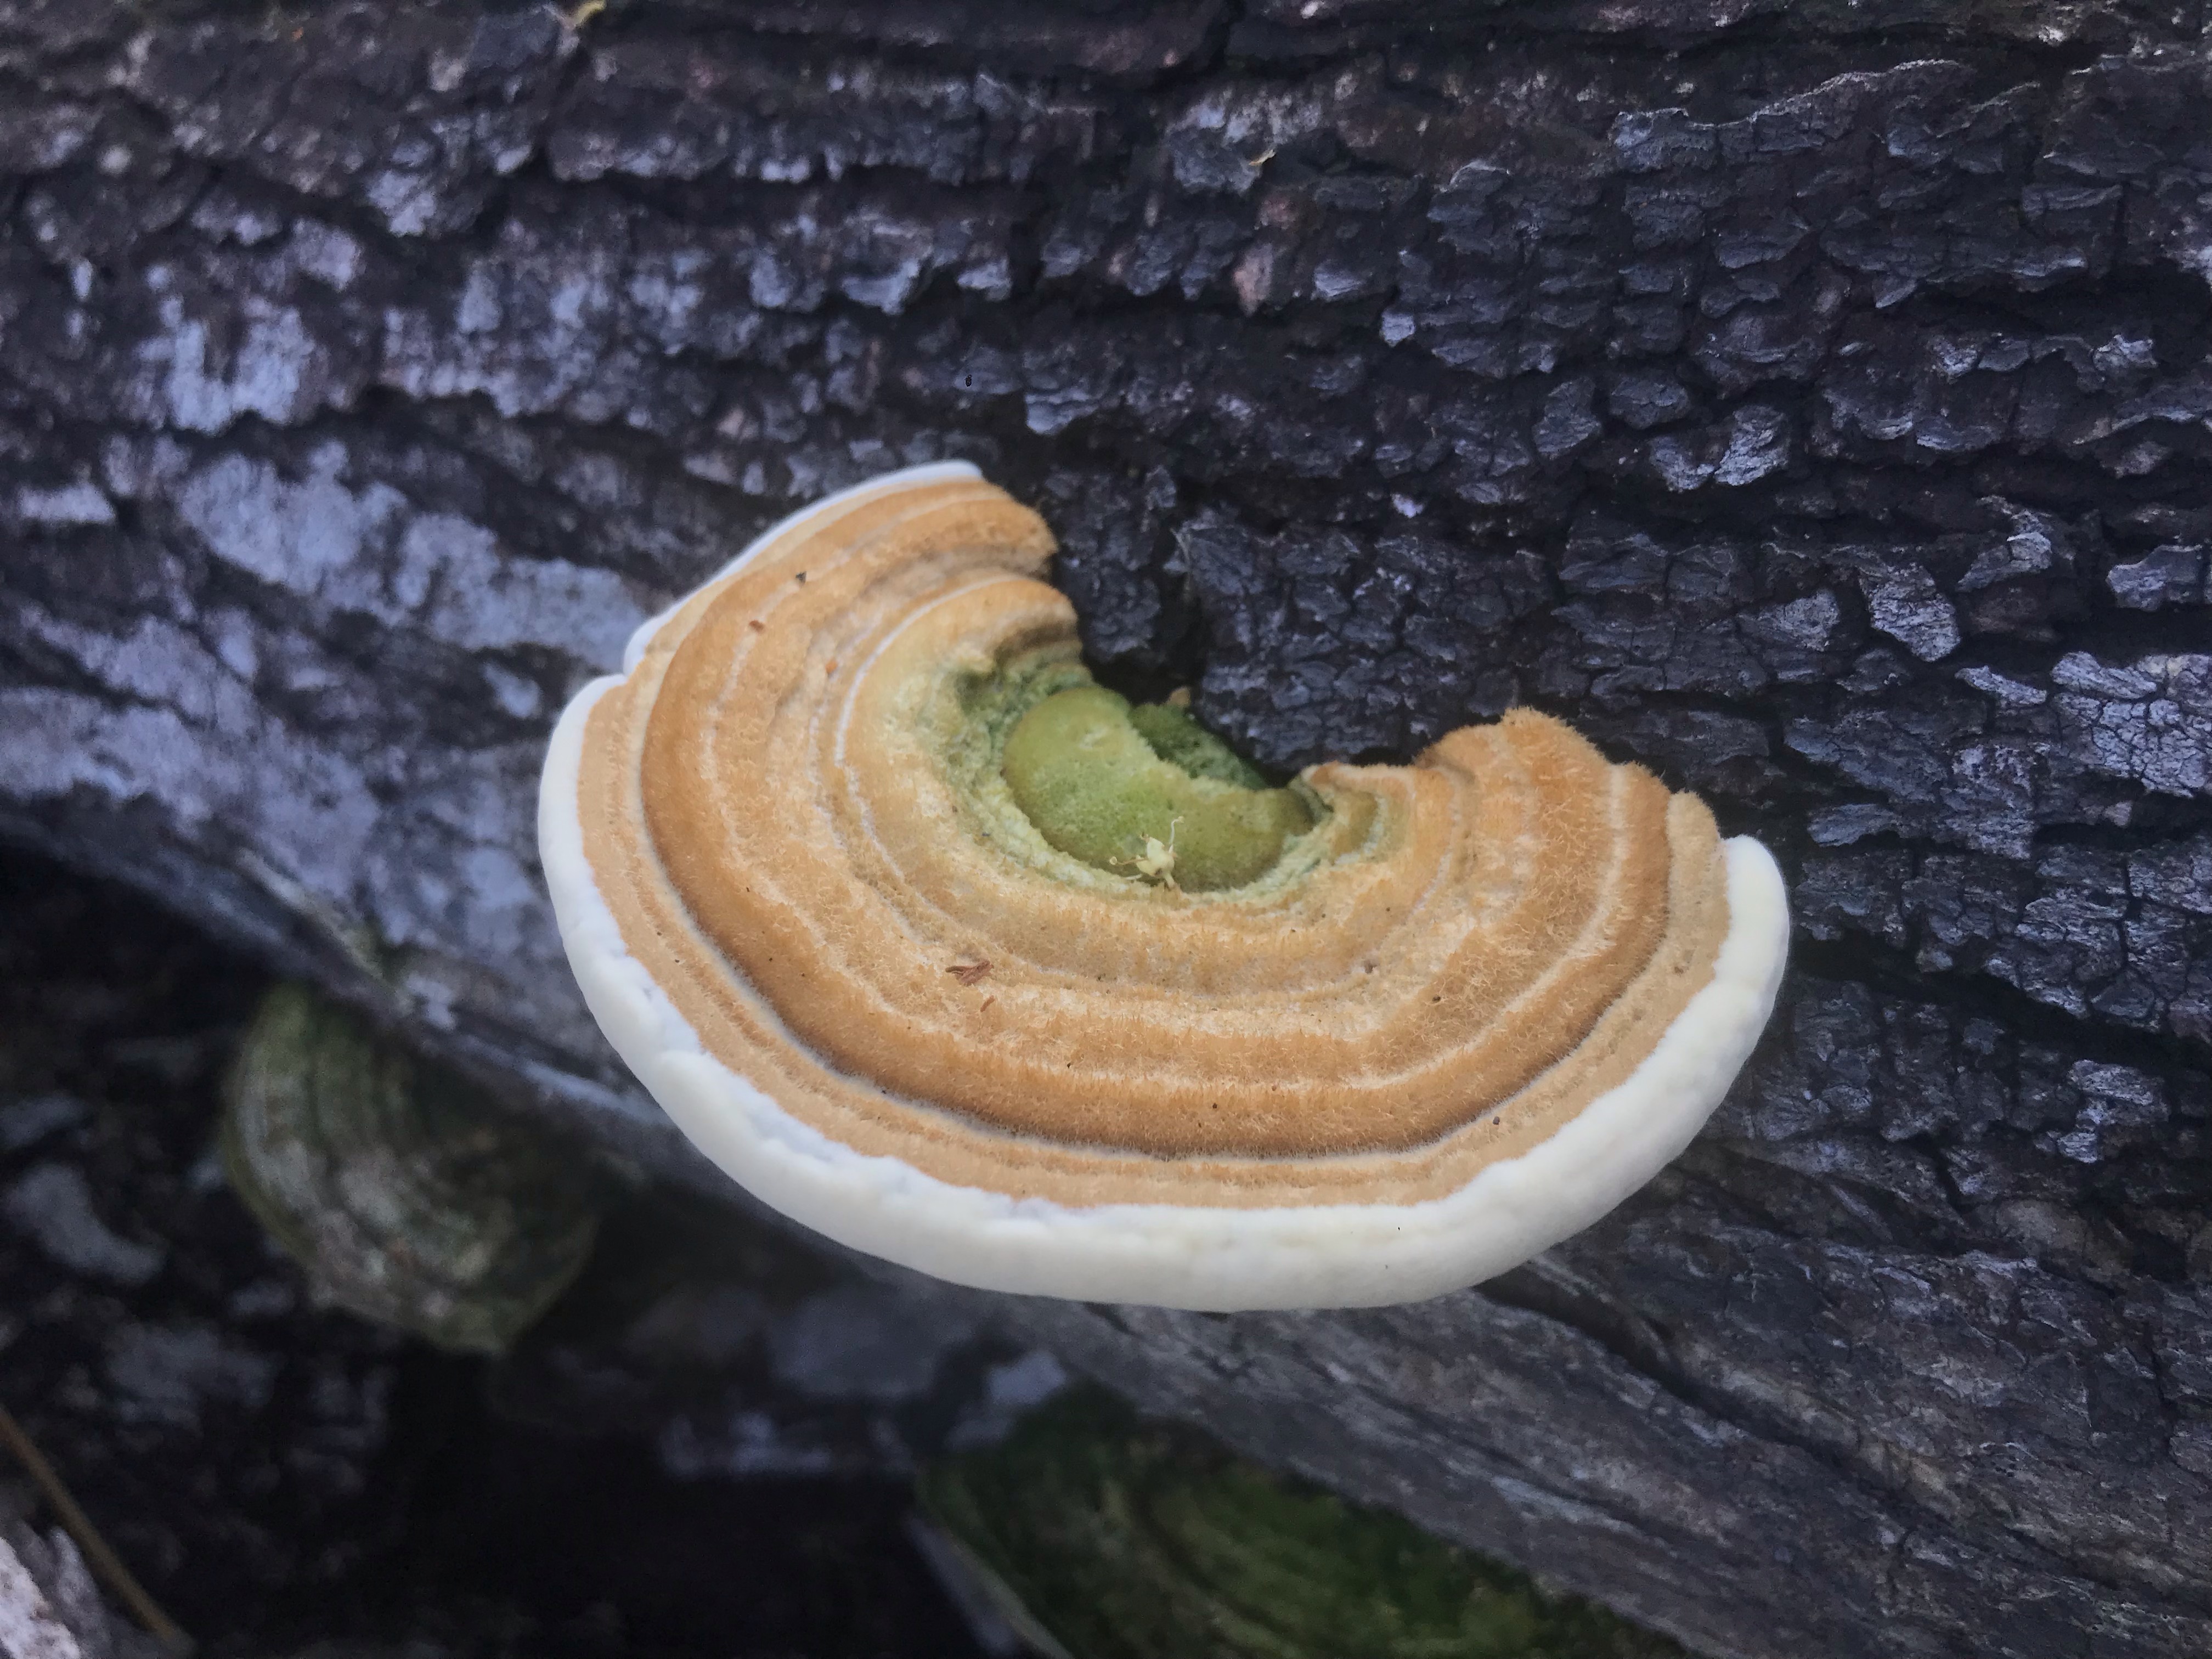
[[1808, 399]]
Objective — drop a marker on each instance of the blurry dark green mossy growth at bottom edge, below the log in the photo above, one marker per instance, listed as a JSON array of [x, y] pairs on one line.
[[1134, 1541]]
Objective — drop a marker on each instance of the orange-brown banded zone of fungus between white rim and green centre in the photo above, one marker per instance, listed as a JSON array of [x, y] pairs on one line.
[[1503, 932]]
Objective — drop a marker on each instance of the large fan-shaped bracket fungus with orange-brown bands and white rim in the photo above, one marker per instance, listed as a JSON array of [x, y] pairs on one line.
[[970, 966]]
